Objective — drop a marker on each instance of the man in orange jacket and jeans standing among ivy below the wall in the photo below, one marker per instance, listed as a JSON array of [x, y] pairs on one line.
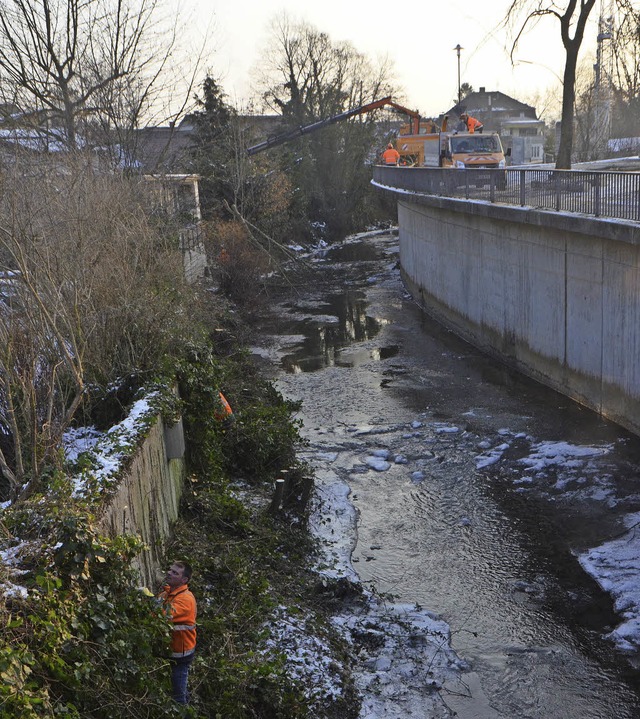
[[179, 605]]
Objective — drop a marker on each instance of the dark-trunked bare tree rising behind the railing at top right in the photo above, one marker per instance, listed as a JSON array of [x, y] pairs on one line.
[[573, 19]]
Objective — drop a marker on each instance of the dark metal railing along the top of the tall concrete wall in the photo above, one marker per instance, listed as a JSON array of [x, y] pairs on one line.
[[594, 193]]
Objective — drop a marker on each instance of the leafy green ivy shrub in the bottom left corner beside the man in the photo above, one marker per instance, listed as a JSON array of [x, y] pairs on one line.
[[85, 641]]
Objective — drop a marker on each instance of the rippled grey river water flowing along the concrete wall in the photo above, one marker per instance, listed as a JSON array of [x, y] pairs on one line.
[[409, 416]]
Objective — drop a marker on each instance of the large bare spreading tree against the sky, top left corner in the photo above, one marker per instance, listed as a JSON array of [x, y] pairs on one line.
[[68, 65]]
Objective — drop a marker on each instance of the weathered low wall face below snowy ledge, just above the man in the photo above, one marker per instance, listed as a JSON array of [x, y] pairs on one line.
[[148, 498]]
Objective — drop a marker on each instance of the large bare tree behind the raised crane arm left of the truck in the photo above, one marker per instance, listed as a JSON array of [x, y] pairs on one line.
[[306, 77]]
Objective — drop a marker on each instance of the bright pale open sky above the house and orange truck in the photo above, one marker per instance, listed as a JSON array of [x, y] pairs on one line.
[[419, 38]]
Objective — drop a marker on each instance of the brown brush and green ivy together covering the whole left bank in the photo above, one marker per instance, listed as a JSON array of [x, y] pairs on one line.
[[79, 638]]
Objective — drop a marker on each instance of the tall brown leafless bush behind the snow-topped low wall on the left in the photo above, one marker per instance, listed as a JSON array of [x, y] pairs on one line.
[[93, 290]]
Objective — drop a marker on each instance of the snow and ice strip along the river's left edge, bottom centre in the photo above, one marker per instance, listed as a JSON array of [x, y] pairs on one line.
[[403, 651]]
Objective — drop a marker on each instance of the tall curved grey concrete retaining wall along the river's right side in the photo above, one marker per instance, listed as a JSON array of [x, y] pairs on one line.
[[556, 296]]
